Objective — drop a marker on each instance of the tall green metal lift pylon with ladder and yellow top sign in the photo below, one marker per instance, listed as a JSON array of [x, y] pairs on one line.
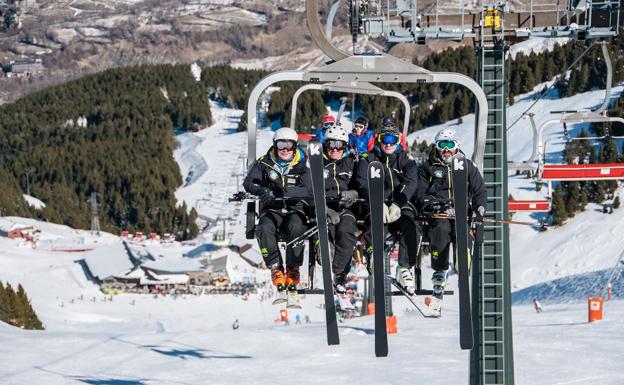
[[491, 360]]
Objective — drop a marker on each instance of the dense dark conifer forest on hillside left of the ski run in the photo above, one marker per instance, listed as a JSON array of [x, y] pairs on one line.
[[125, 153]]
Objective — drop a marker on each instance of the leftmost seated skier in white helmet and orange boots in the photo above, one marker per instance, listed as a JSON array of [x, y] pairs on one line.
[[278, 179]]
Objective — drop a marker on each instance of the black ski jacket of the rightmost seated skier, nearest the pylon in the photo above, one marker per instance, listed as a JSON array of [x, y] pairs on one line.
[[435, 175]]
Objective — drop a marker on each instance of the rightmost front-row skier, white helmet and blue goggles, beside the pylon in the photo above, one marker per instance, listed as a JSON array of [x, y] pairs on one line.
[[437, 198]]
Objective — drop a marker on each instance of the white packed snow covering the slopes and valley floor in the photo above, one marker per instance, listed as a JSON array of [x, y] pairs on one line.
[[188, 339]]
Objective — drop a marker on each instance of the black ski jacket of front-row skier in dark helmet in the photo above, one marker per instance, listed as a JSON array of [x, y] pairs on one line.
[[401, 176]]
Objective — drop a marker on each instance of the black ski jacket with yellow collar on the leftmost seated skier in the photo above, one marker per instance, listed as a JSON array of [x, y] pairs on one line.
[[291, 181]]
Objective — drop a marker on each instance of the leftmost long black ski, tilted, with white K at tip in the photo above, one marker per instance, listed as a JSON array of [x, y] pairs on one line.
[[318, 189]]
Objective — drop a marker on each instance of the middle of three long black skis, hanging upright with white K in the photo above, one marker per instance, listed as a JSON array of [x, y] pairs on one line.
[[376, 201]]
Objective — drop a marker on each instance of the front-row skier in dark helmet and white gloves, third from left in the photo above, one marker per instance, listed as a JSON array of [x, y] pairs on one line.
[[401, 183]]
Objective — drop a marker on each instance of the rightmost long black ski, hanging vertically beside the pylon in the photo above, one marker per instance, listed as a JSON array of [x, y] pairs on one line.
[[460, 204]]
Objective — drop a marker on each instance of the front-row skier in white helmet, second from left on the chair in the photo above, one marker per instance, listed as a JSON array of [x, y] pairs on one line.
[[340, 192]]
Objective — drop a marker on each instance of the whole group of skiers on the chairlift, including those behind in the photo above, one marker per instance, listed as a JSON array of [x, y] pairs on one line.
[[414, 194]]
